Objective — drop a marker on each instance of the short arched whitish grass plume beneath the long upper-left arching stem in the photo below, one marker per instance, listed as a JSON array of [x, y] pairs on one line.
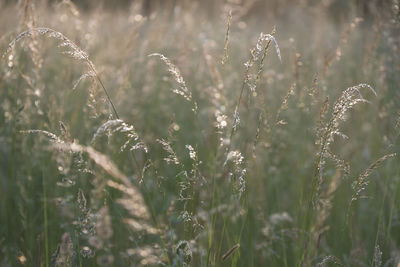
[[112, 127]]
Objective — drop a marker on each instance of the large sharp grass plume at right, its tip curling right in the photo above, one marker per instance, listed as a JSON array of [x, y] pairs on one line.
[[350, 97]]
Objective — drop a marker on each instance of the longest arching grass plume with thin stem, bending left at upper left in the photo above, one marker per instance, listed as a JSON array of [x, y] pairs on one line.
[[72, 50]]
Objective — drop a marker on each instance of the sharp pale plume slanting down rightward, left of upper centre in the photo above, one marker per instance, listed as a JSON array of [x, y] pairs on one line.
[[182, 89]]
